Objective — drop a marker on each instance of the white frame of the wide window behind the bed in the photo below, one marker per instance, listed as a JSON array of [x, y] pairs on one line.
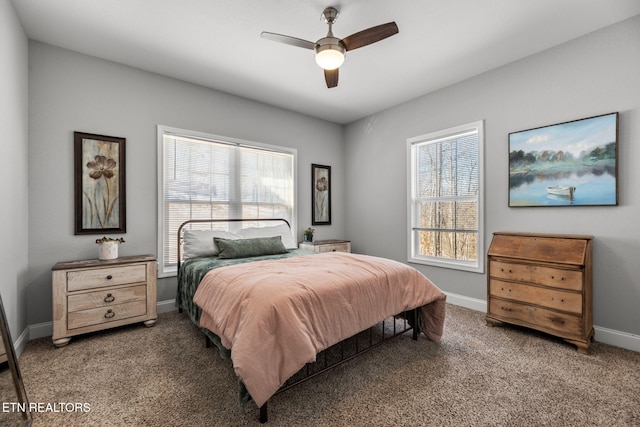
[[164, 271]]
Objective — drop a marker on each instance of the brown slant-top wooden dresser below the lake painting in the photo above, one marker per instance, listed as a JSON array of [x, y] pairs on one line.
[[542, 281]]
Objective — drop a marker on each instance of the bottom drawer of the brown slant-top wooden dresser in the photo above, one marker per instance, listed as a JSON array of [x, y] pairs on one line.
[[541, 318]]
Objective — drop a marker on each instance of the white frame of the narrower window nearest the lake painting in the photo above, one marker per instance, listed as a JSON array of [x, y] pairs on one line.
[[433, 137]]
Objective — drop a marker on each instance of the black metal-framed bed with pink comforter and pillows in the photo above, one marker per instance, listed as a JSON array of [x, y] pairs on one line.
[[276, 310]]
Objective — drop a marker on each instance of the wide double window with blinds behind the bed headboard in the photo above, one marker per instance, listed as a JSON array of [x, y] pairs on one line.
[[204, 176]]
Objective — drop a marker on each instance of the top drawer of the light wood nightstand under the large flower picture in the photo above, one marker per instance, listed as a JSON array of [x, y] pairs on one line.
[[100, 277]]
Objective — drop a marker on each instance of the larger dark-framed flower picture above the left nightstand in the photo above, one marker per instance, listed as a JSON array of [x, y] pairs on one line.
[[99, 172]]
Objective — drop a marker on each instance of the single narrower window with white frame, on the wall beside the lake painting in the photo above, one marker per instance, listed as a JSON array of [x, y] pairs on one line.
[[445, 198]]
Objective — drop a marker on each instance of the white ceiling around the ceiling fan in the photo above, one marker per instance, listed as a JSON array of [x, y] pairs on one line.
[[217, 43]]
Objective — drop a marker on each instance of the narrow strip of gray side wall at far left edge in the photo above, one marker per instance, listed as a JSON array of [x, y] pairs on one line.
[[14, 178]]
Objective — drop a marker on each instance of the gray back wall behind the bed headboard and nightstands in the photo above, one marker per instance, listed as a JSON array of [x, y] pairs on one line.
[[74, 92]]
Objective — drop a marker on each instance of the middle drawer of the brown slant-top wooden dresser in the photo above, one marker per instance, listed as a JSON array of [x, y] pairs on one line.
[[550, 298]]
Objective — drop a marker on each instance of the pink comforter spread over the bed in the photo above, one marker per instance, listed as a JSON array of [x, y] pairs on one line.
[[276, 315]]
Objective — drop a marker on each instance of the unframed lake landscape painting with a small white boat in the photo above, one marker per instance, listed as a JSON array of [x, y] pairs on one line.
[[567, 164]]
